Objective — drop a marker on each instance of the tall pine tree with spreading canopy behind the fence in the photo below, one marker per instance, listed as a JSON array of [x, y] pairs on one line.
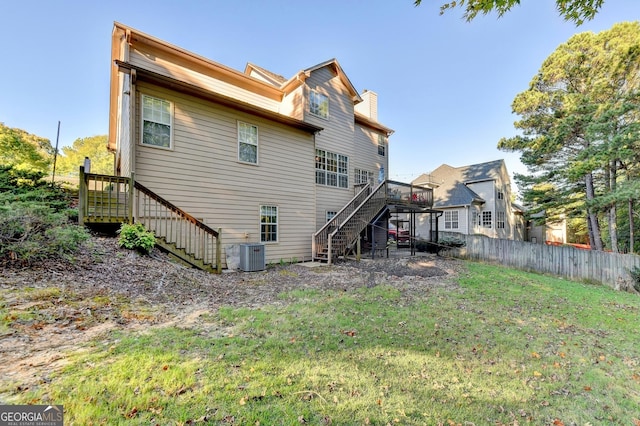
[[579, 123]]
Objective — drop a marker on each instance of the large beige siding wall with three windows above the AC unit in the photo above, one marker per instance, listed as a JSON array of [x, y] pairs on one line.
[[202, 175]]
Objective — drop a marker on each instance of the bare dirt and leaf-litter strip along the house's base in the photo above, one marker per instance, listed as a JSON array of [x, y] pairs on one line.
[[57, 307]]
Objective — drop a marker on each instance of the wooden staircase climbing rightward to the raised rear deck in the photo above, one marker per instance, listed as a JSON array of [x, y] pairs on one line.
[[339, 236]]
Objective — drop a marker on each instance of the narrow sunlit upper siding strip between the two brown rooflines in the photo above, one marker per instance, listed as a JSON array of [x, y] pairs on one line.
[[154, 61]]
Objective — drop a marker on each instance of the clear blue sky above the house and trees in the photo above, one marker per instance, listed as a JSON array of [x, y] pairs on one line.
[[444, 85]]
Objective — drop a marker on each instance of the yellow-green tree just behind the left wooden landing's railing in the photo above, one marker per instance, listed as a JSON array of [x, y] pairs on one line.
[[94, 147]]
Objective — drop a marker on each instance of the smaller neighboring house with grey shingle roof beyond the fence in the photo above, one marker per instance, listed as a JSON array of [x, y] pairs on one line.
[[474, 199]]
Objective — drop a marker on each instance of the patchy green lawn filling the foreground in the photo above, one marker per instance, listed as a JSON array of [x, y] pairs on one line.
[[508, 347]]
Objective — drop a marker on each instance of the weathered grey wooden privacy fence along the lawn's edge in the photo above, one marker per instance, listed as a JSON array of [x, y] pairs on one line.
[[611, 269]]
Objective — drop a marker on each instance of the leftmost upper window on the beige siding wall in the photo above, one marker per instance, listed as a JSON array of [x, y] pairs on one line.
[[156, 122]]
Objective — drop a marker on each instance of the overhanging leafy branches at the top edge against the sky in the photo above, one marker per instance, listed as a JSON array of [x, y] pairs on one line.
[[576, 11]]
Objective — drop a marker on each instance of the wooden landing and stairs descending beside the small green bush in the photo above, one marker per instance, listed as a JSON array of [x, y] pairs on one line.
[[117, 199]]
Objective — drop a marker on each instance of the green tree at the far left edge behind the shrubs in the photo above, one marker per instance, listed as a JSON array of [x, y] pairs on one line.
[[24, 151]]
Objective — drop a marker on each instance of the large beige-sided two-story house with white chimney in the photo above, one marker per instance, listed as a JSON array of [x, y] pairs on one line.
[[267, 159]]
